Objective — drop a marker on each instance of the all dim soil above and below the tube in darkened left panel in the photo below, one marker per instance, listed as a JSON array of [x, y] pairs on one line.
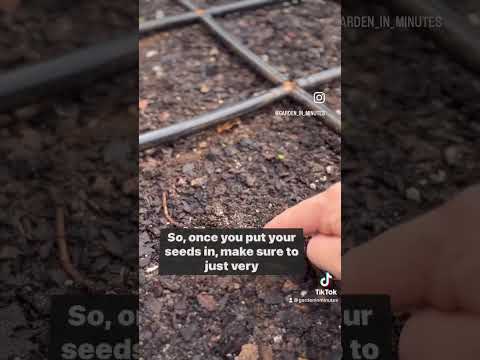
[[75, 150]]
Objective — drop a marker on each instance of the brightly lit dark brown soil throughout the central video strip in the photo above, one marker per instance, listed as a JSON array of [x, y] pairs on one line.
[[237, 177]]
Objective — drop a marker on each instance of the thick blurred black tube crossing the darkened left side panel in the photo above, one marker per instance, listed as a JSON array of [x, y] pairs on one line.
[[24, 85]]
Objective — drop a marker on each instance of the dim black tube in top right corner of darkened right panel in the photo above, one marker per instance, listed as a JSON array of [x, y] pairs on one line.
[[456, 35]]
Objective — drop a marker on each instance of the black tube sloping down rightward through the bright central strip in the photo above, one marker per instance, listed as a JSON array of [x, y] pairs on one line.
[[330, 118]]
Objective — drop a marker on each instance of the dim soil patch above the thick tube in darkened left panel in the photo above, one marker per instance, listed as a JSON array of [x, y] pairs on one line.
[[39, 31]]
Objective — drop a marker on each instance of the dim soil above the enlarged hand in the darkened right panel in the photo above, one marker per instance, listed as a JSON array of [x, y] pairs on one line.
[[410, 128]]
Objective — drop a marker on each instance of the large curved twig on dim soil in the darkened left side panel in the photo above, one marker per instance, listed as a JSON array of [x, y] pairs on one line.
[[64, 255]]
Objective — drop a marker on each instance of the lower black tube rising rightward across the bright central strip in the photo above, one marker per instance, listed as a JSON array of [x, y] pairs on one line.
[[188, 127]]
